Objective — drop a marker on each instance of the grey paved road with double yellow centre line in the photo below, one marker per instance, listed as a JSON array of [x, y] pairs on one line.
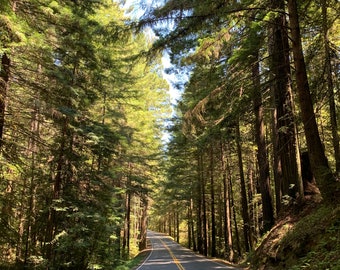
[[169, 255]]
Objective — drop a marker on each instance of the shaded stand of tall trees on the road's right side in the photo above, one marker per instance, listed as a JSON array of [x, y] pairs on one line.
[[256, 129]]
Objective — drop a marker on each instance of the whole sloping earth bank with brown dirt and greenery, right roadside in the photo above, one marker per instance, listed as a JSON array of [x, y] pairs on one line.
[[306, 237]]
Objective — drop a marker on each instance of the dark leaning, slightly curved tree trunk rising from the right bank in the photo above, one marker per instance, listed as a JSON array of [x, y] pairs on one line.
[[319, 164]]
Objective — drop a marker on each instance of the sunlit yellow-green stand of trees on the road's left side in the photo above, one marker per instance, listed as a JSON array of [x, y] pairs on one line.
[[80, 134]]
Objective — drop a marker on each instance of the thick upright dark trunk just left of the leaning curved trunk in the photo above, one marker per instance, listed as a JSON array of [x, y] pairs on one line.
[[287, 140]]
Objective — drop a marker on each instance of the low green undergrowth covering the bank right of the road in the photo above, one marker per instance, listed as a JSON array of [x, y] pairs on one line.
[[313, 243]]
